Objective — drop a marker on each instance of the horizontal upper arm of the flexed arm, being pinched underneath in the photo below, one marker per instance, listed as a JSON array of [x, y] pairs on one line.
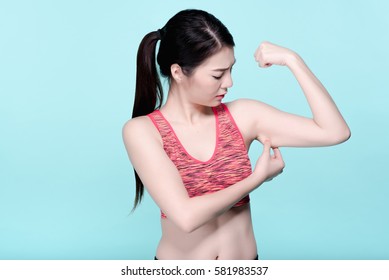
[[261, 121]]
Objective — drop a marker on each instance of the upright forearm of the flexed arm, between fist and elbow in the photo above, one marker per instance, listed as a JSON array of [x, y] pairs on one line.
[[324, 110]]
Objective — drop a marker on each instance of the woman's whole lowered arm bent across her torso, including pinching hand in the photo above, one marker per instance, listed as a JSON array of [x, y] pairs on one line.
[[163, 181]]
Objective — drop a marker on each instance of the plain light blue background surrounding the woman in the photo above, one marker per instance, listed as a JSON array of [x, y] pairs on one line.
[[67, 71]]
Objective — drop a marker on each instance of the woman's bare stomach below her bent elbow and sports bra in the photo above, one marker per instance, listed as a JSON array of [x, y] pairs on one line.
[[229, 236]]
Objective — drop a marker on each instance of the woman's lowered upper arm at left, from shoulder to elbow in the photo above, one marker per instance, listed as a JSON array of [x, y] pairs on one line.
[[157, 172]]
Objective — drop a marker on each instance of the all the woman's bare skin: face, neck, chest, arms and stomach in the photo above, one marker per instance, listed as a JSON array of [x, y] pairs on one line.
[[207, 227]]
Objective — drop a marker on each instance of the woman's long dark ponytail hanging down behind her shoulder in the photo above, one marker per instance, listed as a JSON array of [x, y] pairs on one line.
[[148, 90]]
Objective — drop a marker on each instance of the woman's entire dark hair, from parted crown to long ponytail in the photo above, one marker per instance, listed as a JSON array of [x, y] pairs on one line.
[[188, 38]]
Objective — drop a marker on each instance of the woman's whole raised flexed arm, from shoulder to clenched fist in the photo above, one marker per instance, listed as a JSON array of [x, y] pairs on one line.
[[326, 127]]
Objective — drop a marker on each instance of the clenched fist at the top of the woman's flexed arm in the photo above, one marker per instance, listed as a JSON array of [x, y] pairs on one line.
[[268, 54]]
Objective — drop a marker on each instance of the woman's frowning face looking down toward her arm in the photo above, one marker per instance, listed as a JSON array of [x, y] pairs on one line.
[[210, 81]]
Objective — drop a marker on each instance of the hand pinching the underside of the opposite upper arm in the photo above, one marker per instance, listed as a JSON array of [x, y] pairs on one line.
[[269, 166]]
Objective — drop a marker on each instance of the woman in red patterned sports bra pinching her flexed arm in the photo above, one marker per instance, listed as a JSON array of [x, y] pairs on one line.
[[191, 152]]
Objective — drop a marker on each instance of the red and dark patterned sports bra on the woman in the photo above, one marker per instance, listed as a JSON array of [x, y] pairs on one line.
[[228, 165]]
